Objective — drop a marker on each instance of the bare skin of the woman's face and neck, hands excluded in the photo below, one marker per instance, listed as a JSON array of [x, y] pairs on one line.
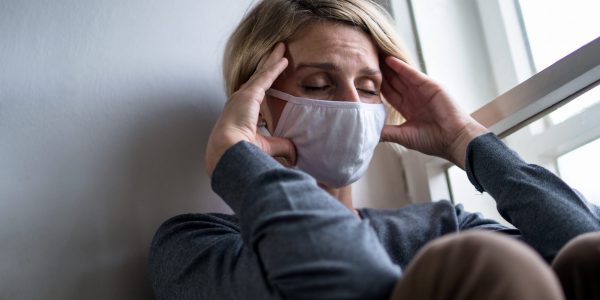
[[328, 61]]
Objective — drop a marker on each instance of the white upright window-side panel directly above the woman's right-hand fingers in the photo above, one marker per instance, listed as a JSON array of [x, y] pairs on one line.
[[454, 49]]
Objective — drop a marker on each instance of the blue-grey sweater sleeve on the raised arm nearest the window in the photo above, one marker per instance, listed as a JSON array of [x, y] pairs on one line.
[[547, 212]]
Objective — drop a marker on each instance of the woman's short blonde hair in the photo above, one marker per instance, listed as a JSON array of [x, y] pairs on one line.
[[273, 21]]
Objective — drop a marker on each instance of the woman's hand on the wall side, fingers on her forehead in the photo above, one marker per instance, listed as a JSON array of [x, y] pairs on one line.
[[240, 116]]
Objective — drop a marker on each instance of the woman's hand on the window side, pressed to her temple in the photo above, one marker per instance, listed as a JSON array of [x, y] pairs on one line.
[[434, 124]]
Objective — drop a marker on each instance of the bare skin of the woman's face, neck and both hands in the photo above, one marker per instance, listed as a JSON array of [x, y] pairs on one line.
[[334, 61]]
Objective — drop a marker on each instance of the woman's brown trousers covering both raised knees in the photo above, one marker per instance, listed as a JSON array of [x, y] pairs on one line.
[[487, 265]]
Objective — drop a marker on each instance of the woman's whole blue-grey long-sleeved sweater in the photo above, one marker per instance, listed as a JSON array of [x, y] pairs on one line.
[[289, 239]]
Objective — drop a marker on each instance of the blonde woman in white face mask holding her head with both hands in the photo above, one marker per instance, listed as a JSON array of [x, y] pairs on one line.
[[306, 81]]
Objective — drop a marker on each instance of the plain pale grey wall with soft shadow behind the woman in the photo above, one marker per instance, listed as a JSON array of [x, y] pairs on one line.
[[105, 109]]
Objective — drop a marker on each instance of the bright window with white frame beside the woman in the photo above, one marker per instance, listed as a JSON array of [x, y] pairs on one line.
[[520, 67]]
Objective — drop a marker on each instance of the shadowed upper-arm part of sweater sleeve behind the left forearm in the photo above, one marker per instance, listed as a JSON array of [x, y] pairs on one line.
[[201, 256]]
